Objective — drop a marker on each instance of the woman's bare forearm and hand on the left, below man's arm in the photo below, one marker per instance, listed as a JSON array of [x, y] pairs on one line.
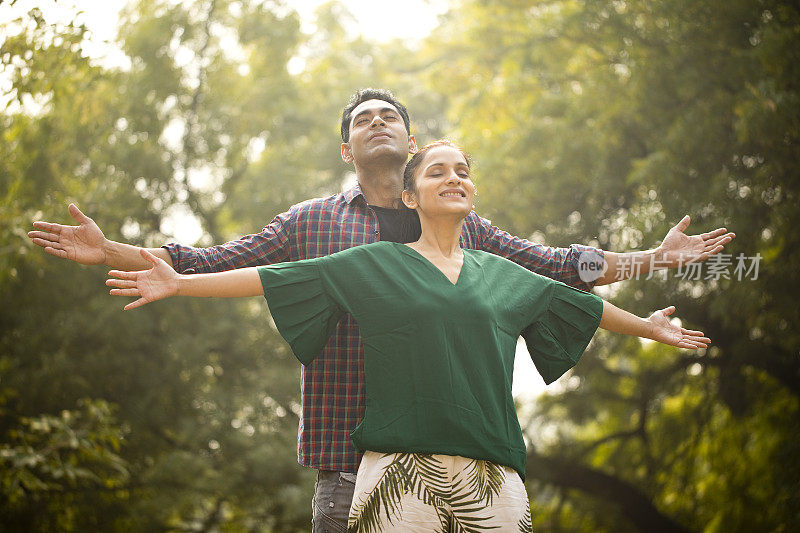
[[162, 281]]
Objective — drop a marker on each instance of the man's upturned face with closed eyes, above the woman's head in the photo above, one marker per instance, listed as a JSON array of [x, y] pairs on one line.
[[377, 135]]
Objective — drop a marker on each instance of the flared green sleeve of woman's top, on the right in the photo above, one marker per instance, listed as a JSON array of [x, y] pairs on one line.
[[558, 337]]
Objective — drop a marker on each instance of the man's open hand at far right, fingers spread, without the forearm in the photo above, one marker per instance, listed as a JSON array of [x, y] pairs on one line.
[[679, 249]]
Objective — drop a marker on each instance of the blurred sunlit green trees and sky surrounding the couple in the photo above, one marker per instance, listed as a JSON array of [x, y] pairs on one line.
[[597, 122]]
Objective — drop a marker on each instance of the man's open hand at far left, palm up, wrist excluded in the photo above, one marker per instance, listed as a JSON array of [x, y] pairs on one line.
[[82, 244]]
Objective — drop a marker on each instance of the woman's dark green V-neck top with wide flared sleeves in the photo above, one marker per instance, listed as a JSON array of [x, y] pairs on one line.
[[438, 356]]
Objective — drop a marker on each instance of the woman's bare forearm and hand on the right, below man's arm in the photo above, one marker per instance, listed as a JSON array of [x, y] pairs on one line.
[[657, 327]]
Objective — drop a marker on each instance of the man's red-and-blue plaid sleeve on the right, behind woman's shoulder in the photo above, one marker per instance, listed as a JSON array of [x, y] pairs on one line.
[[560, 264]]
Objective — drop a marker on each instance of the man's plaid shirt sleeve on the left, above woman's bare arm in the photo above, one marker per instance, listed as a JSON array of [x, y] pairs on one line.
[[269, 246]]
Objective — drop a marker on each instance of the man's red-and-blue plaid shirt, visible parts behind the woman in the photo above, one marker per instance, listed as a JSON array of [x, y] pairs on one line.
[[332, 386]]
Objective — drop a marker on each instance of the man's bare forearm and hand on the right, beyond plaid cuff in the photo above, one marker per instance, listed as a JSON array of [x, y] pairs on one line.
[[677, 249]]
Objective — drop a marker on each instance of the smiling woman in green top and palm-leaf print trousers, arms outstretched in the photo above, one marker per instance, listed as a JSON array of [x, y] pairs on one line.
[[443, 447]]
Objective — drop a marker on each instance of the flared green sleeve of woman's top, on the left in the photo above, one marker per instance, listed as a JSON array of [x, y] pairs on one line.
[[303, 310]]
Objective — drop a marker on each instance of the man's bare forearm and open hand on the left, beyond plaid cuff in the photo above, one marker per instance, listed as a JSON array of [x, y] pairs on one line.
[[86, 244]]
